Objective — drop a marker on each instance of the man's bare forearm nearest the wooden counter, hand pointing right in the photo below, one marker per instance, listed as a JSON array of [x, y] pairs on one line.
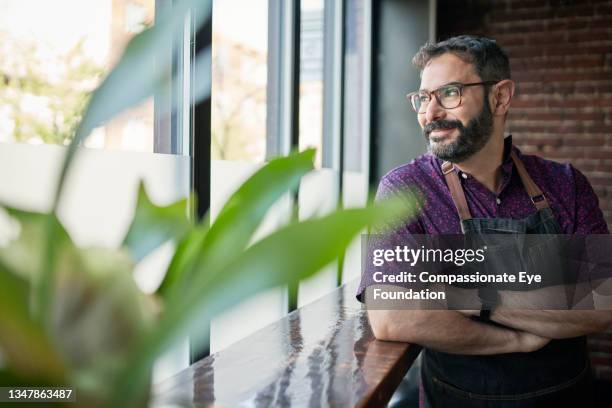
[[448, 331]]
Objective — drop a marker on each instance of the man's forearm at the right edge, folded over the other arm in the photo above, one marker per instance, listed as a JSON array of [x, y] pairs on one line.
[[554, 324]]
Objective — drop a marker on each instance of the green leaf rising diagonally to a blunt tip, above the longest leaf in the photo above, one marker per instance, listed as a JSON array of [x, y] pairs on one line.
[[238, 219]]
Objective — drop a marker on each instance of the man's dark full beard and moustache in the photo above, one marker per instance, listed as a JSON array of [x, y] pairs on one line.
[[471, 138]]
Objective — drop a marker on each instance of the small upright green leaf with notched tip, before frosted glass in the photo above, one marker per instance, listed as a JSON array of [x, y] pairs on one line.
[[153, 225]]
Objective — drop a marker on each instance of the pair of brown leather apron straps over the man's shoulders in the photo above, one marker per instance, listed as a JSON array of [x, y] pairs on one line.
[[454, 185]]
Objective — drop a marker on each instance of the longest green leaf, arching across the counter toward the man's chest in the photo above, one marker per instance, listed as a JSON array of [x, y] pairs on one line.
[[285, 257]]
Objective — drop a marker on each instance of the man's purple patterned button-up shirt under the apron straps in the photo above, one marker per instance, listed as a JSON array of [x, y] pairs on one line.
[[571, 197]]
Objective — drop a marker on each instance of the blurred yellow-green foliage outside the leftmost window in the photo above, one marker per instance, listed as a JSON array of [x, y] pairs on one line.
[[41, 103]]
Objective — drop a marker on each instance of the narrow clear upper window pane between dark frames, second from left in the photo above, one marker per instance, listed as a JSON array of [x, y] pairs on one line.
[[239, 75]]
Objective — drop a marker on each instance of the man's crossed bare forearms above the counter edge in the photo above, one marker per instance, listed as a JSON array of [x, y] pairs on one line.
[[454, 331]]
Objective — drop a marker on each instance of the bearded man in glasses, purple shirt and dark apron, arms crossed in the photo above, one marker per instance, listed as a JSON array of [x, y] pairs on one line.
[[475, 181]]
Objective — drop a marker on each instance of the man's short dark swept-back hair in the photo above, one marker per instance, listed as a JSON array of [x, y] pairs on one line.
[[490, 61]]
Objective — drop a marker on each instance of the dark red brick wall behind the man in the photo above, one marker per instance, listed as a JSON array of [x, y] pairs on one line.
[[561, 57]]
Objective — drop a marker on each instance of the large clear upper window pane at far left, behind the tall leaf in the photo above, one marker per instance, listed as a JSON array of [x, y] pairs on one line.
[[52, 59]]
